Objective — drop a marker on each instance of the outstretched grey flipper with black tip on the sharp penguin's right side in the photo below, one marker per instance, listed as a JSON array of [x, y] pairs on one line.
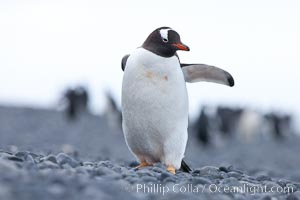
[[202, 72]]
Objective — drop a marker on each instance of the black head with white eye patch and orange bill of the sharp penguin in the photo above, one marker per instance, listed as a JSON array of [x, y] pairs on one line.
[[164, 41]]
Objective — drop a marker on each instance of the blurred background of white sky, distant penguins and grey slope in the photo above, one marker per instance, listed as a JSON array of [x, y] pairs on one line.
[[61, 77]]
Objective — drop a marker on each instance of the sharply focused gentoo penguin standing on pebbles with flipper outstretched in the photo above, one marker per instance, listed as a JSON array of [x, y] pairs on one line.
[[155, 99]]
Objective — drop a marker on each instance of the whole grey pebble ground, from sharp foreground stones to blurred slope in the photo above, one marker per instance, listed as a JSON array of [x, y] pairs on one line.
[[43, 156]]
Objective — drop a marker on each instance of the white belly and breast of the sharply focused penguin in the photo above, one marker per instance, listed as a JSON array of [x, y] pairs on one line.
[[155, 108]]
